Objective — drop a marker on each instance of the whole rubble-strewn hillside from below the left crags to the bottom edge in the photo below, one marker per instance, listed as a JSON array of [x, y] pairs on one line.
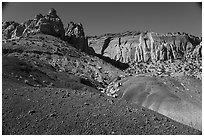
[[48, 87]]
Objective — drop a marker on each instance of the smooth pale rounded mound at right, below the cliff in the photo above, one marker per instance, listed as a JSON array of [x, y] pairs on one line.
[[168, 96]]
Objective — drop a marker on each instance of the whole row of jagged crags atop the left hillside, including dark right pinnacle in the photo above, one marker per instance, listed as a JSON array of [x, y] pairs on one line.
[[49, 24]]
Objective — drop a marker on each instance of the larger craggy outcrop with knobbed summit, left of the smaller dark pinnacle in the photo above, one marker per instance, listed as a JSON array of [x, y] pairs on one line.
[[49, 24]]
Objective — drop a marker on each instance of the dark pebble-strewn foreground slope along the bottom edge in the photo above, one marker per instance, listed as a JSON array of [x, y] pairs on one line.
[[33, 110]]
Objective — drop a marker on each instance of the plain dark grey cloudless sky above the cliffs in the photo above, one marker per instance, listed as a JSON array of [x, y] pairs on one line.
[[104, 17]]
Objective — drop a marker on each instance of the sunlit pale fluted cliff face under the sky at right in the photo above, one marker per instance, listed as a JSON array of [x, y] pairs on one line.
[[146, 46]]
